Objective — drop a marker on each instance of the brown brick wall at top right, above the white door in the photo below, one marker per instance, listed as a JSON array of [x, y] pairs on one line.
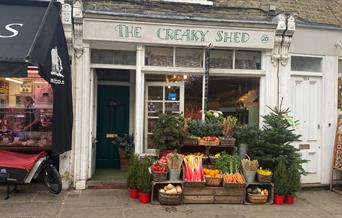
[[320, 11]]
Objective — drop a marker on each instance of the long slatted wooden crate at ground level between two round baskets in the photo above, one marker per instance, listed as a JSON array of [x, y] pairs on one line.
[[214, 195]]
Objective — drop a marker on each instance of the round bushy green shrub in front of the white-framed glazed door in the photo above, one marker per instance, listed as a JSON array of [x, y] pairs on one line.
[[169, 131]]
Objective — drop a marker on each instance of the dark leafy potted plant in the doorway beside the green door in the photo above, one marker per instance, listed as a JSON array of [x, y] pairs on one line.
[[125, 145]]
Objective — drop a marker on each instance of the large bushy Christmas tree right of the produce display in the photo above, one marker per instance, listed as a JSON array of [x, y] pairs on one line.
[[276, 140]]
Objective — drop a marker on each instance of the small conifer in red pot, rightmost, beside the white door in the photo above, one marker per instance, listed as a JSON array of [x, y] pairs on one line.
[[293, 182]]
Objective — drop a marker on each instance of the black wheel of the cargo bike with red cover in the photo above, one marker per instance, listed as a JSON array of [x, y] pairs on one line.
[[52, 179]]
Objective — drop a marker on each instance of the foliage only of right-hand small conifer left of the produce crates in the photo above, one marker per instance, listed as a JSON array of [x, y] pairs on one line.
[[144, 181]]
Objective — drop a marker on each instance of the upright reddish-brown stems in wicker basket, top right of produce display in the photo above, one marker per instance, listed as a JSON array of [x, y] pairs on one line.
[[229, 125]]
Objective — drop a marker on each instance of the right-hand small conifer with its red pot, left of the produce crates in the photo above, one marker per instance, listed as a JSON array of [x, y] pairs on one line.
[[144, 181]]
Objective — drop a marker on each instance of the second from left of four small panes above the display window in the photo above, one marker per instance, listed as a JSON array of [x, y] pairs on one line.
[[187, 57]]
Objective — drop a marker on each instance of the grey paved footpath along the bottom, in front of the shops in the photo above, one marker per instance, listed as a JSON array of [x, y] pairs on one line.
[[38, 203]]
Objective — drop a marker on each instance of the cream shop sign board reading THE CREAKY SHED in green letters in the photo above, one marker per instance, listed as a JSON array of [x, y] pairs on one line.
[[139, 32]]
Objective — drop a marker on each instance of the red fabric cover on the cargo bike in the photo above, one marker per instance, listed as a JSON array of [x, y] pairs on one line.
[[19, 160]]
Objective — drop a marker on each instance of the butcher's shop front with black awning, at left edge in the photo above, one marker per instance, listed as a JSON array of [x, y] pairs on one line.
[[35, 81]]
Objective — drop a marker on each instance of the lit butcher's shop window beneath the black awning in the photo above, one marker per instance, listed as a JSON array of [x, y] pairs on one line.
[[26, 111]]
